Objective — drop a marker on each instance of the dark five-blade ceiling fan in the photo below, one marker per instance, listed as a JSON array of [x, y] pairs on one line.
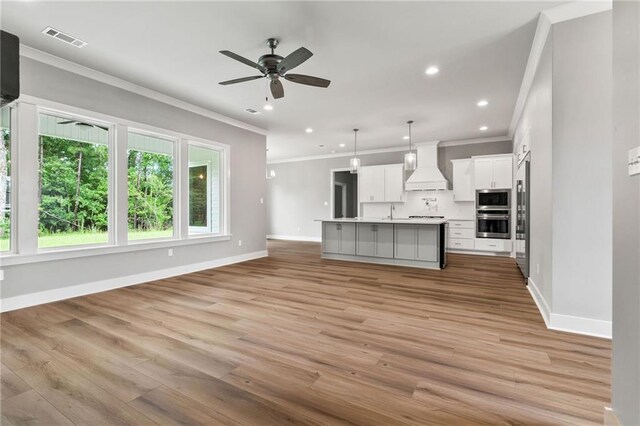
[[274, 67]]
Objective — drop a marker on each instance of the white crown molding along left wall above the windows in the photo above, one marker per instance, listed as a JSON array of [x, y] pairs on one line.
[[55, 61]]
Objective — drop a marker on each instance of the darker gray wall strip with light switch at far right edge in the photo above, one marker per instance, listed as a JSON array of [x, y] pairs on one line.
[[626, 213]]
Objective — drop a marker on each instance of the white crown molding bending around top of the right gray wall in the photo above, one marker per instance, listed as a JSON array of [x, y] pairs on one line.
[[549, 17]]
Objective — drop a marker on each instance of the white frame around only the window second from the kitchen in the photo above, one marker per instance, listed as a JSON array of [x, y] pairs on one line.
[[175, 186]]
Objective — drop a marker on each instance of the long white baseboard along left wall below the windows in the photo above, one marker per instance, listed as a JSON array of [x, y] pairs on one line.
[[53, 295]]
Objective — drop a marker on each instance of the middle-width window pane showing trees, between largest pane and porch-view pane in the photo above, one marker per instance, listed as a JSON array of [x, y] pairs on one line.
[[150, 162]]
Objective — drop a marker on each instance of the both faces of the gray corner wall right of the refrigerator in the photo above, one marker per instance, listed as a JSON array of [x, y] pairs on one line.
[[568, 119]]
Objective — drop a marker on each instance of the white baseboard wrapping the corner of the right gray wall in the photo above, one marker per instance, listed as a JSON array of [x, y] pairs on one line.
[[569, 323]]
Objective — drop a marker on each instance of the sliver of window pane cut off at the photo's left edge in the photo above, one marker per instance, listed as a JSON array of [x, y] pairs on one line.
[[5, 179]]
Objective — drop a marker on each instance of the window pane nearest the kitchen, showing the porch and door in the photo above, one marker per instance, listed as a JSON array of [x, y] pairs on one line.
[[204, 190]]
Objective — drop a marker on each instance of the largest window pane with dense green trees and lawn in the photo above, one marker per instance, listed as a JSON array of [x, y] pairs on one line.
[[73, 182]]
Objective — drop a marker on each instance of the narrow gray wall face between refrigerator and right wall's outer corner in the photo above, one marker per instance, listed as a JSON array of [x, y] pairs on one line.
[[536, 122]]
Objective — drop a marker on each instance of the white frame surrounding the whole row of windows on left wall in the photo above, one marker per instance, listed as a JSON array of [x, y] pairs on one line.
[[117, 242]]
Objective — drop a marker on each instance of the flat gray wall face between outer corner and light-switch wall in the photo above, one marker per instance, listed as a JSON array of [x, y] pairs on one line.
[[581, 162]]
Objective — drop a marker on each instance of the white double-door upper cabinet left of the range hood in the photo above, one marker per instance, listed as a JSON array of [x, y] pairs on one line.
[[380, 184]]
